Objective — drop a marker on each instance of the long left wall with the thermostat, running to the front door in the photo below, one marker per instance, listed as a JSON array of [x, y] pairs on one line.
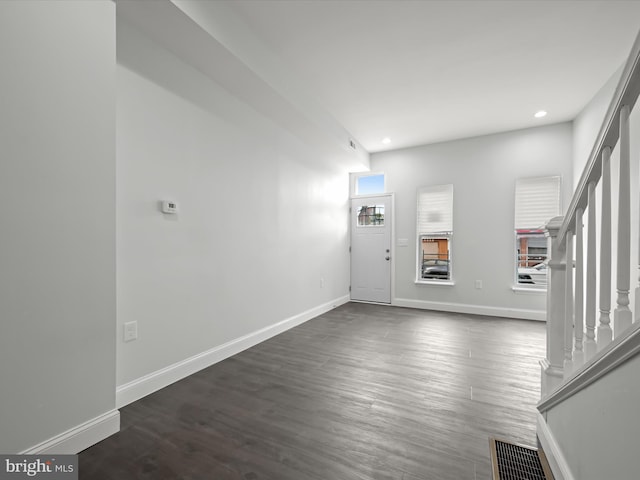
[[262, 229]]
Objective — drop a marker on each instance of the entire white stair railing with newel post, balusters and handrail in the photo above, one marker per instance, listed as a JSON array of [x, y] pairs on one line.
[[574, 338]]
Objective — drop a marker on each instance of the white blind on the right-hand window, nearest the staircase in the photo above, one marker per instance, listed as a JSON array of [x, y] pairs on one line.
[[537, 201]]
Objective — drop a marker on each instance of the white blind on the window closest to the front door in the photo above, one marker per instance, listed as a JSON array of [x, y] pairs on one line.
[[435, 209]]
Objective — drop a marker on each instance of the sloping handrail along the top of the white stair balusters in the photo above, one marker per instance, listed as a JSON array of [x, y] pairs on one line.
[[626, 93]]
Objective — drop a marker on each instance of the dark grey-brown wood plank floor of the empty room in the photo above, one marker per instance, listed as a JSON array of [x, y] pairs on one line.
[[361, 392]]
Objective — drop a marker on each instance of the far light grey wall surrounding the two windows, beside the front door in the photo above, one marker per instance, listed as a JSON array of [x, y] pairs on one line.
[[483, 171]]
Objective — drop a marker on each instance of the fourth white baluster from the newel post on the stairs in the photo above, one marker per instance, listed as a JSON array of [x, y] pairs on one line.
[[605, 334]]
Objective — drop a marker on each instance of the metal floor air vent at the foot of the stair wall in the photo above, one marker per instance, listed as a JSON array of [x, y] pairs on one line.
[[515, 462]]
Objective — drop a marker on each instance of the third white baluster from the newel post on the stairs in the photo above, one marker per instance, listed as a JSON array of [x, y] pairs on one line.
[[590, 346]]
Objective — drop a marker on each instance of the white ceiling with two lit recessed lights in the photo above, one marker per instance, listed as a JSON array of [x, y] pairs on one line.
[[427, 71]]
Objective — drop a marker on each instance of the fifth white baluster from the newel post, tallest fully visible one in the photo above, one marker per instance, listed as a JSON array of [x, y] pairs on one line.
[[622, 317]]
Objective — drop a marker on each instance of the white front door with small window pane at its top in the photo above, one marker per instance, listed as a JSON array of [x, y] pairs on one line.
[[371, 248]]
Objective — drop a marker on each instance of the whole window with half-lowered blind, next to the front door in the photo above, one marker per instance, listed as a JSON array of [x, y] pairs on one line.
[[434, 226]]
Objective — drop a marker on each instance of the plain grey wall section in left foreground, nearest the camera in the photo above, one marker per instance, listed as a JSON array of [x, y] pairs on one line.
[[57, 188]]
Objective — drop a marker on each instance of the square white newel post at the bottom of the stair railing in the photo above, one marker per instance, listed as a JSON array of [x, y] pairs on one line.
[[552, 365]]
